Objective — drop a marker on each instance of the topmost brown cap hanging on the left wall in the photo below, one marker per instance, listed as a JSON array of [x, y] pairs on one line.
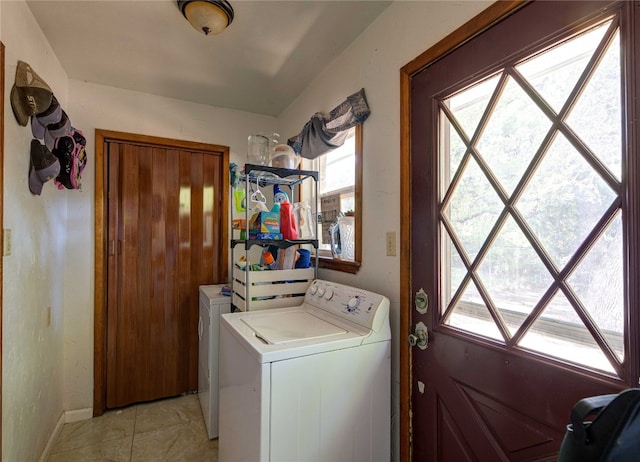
[[30, 95]]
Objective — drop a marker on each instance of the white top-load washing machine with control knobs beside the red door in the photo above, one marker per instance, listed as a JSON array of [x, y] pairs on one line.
[[307, 383]]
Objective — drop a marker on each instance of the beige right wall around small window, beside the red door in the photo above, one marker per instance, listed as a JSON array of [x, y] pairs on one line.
[[373, 62]]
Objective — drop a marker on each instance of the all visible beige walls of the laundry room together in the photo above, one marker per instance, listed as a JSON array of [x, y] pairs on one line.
[[48, 370]]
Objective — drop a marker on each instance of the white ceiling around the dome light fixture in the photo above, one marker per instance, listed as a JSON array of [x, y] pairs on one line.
[[260, 64]]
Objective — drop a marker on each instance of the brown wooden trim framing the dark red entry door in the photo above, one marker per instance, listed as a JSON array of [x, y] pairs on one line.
[[487, 18]]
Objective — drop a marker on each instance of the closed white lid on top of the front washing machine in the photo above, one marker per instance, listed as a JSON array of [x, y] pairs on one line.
[[279, 328]]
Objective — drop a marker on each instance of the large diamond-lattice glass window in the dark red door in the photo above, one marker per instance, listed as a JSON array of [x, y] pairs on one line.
[[531, 203]]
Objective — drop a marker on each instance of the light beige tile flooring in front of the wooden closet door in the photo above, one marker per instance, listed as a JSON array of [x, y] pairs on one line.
[[167, 430]]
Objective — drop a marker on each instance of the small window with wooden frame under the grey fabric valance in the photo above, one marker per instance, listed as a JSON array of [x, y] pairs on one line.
[[339, 210]]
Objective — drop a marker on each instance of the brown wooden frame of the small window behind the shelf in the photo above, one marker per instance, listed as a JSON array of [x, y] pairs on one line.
[[348, 266]]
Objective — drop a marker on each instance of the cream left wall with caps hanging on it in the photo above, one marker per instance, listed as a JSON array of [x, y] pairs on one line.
[[32, 363]]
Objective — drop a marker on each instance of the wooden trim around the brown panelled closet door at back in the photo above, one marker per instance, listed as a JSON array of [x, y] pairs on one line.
[[100, 238]]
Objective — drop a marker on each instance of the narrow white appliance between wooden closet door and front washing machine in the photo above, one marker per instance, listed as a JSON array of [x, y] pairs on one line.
[[212, 305]]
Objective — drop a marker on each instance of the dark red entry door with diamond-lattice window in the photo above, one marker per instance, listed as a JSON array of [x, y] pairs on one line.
[[522, 232]]
